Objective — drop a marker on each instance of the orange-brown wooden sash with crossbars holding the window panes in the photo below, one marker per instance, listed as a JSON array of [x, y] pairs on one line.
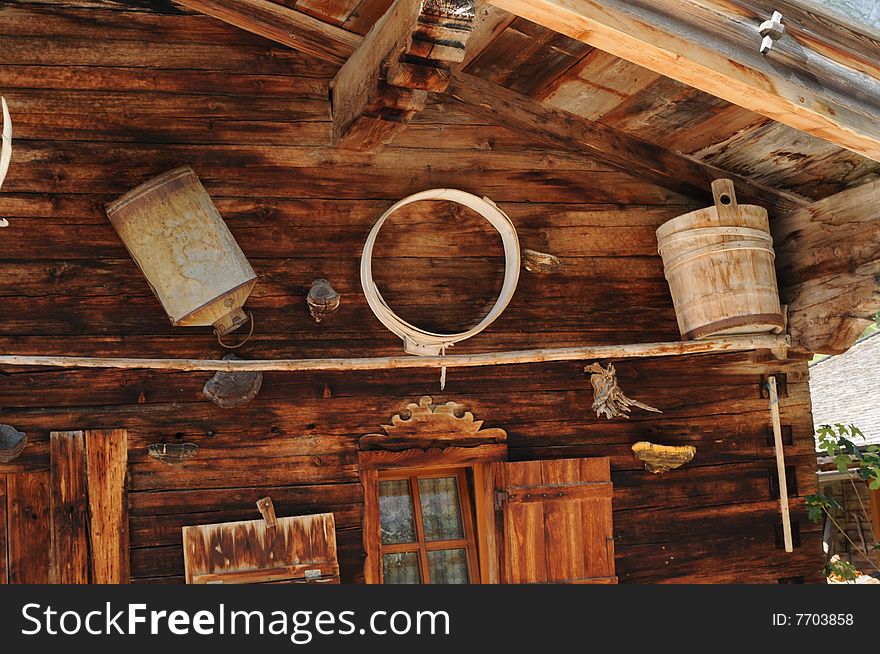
[[422, 546]]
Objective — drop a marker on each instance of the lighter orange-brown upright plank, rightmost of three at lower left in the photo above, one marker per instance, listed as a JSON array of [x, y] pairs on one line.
[[107, 465]]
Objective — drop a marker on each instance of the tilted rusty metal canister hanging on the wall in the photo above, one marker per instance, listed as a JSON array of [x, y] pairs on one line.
[[190, 259]]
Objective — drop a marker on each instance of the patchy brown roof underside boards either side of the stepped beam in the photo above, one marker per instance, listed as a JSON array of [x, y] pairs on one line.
[[570, 75]]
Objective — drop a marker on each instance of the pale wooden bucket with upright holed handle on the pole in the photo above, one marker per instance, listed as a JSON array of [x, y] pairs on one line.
[[719, 265]]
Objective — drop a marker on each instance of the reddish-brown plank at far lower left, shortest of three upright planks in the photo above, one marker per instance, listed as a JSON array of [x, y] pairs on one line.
[[29, 527]]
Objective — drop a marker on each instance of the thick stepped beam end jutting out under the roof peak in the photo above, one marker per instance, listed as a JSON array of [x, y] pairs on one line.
[[386, 81]]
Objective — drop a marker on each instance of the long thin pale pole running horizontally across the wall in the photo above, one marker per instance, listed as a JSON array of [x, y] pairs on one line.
[[777, 344]]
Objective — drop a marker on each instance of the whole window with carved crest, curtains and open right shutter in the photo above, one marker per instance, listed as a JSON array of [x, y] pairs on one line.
[[442, 504]]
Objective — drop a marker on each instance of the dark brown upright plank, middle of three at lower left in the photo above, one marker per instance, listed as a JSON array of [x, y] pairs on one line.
[[69, 504]]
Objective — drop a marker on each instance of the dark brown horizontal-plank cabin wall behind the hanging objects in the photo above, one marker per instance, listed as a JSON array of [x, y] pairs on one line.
[[104, 98]]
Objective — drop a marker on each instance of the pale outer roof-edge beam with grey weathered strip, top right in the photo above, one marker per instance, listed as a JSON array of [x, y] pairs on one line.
[[713, 45]]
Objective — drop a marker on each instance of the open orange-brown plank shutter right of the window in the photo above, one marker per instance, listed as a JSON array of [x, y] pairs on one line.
[[556, 524]]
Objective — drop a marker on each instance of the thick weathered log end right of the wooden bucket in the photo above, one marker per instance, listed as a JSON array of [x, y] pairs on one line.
[[828, 260]]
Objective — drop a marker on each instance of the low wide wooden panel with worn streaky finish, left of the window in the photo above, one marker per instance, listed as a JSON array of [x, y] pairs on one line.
[[296, 550]]
